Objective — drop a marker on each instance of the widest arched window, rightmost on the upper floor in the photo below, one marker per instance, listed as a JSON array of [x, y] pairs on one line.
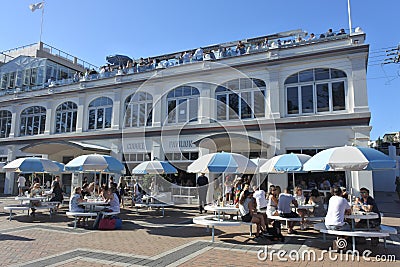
[[316, 90]]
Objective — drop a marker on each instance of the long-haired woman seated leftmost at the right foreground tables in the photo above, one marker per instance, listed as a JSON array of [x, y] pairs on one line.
[[248, 212]]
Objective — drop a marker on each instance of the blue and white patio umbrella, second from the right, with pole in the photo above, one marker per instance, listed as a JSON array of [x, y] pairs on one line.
[[286, 163]]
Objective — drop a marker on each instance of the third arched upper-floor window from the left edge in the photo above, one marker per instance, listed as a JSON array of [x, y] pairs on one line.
[[66, 117]]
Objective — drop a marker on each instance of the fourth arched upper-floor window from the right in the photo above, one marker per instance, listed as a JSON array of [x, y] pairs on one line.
[[138, 110]]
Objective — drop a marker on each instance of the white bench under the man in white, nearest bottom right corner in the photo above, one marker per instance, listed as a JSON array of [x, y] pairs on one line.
[[353, 234]]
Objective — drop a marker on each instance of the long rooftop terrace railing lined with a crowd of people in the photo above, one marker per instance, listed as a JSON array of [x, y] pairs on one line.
[[227, 50]]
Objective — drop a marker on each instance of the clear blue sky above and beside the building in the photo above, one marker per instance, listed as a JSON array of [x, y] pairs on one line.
[[92, 30]]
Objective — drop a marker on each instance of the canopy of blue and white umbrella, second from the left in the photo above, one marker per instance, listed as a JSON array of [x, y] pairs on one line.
[[95, 163]]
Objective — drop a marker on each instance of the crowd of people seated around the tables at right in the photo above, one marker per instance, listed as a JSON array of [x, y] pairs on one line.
[[257, 206]]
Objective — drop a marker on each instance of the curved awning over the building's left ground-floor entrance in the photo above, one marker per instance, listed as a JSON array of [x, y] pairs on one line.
[[52, 147]]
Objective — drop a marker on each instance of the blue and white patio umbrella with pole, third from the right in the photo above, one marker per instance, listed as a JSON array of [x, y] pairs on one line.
[[222, 162]]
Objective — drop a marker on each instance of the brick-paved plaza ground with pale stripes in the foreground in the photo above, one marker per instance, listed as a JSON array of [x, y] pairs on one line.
[[148, 239]]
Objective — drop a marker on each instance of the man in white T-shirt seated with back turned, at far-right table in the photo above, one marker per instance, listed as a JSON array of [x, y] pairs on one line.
[[337, 208]]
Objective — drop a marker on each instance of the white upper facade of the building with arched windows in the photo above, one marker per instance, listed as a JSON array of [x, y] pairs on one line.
[[198, 123]]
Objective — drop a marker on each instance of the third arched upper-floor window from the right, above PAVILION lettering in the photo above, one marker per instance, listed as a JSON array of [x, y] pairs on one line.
[[183, 104]]
